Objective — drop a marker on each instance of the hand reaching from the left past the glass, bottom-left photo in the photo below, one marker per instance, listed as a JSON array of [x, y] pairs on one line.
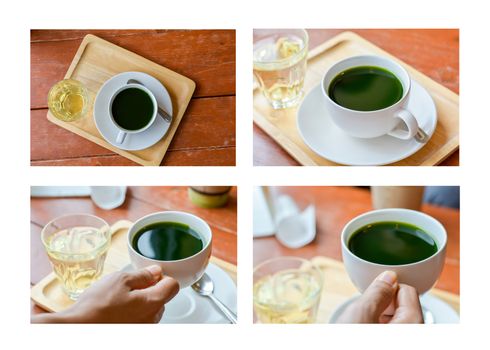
[[121, 297]]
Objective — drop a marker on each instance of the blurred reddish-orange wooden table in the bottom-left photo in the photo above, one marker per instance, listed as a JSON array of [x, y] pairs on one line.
[[140, 201]]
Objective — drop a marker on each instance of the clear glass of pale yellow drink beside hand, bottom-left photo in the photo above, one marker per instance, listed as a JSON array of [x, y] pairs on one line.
[[77, 246]]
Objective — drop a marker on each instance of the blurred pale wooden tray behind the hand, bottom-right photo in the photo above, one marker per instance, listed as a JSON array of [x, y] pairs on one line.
[[338, 288]]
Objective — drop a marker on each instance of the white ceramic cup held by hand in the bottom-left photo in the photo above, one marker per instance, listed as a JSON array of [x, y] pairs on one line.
[[186, 271]]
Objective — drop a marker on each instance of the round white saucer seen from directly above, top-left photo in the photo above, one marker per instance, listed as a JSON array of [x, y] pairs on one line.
[[132, 142]]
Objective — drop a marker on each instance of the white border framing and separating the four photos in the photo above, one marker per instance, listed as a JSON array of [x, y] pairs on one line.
[[473, 174]]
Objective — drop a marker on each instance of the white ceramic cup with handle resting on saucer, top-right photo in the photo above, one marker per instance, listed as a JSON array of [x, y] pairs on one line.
[[394, 120]]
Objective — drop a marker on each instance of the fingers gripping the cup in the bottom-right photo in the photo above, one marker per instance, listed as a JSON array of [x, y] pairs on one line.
[[385, 301]]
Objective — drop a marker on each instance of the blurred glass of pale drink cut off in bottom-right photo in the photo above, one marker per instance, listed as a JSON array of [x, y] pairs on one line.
[[287, 290]]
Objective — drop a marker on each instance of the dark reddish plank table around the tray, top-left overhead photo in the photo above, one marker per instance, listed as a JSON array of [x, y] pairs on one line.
[[206, 135]]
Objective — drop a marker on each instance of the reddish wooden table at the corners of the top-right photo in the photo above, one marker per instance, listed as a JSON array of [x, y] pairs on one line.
[[433, 52]]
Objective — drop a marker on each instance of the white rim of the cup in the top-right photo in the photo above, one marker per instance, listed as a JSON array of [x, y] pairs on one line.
[[405, 92]]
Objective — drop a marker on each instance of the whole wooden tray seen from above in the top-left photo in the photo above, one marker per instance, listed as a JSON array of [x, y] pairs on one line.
[[98, 60]]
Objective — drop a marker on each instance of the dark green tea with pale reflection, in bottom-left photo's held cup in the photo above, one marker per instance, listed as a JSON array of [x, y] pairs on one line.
[[167, 241]]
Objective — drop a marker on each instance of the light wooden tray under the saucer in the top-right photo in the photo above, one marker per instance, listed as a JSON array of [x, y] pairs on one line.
[[281, 124]]
